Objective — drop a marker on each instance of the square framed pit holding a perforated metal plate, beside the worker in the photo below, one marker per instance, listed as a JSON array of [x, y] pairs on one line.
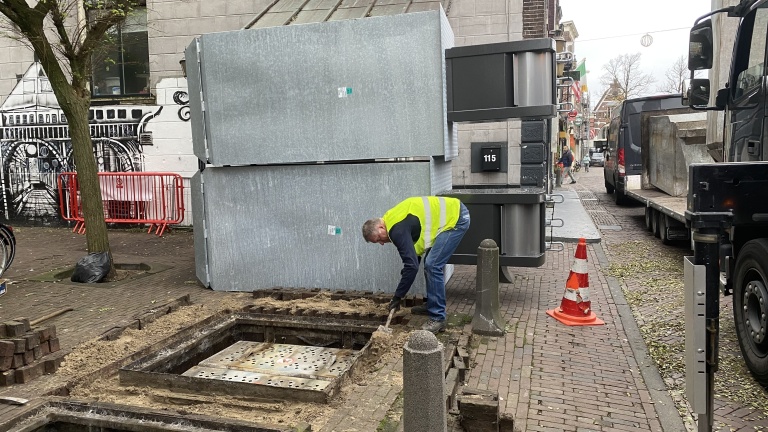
[[258, 356]]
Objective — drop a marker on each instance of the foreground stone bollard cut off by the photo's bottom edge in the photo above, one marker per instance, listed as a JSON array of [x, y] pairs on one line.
[[423, 384]]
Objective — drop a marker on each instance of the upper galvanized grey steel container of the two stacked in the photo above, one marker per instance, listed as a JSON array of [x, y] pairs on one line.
[[363, 89]]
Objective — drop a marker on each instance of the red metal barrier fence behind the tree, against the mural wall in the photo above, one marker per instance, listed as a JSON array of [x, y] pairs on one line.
[[150, 198]]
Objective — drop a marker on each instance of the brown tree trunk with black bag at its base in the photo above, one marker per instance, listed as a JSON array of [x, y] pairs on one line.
[[87, 174]]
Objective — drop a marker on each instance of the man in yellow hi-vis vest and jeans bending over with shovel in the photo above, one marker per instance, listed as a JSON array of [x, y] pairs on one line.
[[427, 228]]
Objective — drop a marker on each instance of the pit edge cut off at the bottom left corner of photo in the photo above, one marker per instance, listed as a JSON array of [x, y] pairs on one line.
[[73, 416]]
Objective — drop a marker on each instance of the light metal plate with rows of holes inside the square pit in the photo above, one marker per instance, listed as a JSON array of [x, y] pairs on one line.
[[280, 365]]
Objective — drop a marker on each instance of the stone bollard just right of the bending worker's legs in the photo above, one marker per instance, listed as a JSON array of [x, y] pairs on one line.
[[487, 320]]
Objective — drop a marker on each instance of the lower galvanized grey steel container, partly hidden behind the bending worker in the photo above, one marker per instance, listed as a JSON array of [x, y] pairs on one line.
[[300, 225]]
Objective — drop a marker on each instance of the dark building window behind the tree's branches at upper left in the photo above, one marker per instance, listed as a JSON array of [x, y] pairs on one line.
[[122, 68]]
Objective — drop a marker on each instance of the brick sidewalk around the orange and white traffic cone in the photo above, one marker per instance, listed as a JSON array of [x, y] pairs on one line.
[[555, 377]]
